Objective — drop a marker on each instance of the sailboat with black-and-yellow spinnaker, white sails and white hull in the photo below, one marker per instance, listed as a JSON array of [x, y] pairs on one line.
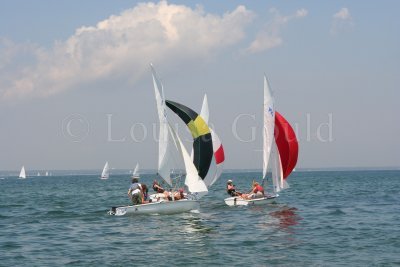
[[173, 158]]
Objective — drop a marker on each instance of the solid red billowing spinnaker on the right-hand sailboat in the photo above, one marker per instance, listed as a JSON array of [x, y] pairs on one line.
[[286, 142]]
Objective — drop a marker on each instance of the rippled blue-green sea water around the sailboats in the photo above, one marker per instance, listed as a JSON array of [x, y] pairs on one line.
[[336, 218]]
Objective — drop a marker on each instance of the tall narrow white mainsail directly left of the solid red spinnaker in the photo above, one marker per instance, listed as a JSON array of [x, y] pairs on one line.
[[269, 125]]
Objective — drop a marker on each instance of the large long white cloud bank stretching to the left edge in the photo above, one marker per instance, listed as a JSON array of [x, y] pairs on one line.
[[121, 45]]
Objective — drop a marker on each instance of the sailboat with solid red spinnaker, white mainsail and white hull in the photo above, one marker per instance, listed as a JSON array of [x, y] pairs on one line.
[[280, 151]]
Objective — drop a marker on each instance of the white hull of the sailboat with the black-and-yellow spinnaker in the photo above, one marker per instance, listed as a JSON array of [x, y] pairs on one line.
[[164, 207]]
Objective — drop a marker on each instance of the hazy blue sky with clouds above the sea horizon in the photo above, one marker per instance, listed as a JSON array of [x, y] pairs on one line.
[[76, 87]]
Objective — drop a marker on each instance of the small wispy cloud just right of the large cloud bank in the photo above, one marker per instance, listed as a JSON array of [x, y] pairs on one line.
[[270, 37]]
